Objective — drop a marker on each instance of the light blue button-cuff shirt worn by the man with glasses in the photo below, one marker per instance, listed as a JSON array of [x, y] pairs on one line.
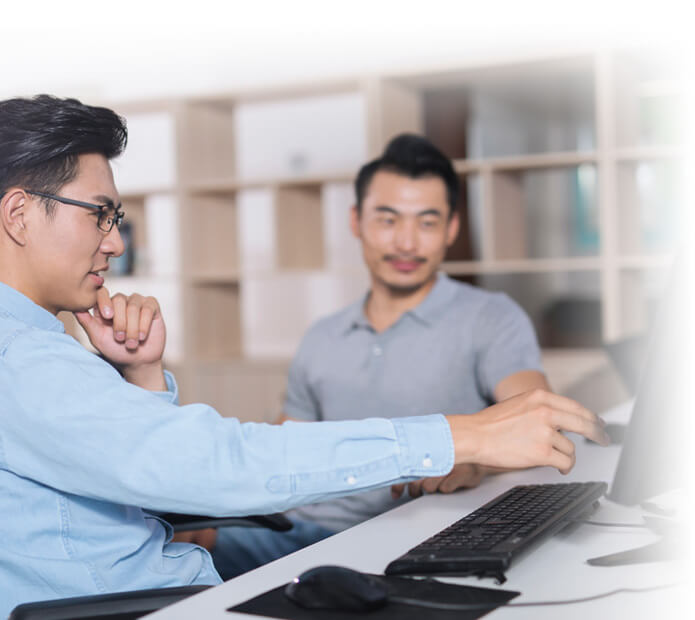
[[82, 452]]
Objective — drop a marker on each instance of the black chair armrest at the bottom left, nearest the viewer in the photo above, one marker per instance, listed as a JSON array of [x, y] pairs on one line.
[[121, 605]]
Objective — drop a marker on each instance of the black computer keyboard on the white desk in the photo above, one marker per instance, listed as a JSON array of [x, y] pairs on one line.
[[485, 542]]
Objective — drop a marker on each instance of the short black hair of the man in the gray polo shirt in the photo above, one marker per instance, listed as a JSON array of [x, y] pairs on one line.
[[411, 156]]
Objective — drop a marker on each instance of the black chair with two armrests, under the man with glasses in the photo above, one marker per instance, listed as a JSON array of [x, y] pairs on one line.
[[138, 603]]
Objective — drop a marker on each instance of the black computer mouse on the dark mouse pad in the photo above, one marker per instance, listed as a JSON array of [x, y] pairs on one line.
[[337, 587]]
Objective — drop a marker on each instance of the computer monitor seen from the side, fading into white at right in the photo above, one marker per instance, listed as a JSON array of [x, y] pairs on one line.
[[655, 448]]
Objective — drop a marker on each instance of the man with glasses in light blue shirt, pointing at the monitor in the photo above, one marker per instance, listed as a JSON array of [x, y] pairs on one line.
[[84, 448]]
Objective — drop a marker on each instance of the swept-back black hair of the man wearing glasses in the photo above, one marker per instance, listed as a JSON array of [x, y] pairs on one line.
[[42, 137]]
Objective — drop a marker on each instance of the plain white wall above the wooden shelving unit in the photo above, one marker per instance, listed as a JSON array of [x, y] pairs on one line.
[[133, 49]]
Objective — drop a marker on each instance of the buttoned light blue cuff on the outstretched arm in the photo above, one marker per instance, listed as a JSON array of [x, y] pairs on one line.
[[426, 445]]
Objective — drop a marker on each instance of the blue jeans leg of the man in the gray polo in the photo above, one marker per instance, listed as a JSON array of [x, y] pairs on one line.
[[240, 549]]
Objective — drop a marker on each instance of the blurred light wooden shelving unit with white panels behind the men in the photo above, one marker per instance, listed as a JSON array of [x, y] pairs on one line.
[[250, 192]]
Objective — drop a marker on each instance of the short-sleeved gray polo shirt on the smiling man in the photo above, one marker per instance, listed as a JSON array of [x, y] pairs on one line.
[[447, 355]]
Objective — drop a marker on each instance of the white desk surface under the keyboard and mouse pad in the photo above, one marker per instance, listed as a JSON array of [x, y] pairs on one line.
[[555, 570]]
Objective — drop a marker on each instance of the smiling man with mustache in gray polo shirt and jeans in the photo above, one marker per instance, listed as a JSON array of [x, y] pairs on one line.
[[417, 342]]
